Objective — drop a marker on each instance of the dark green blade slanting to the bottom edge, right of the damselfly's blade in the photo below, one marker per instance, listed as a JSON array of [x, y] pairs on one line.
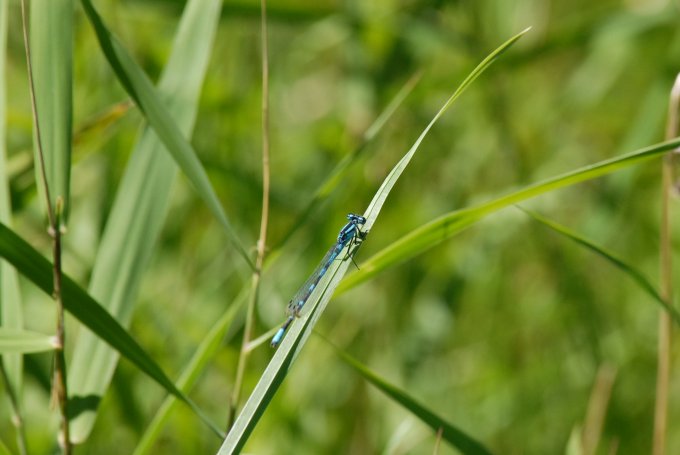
[[457, 438]]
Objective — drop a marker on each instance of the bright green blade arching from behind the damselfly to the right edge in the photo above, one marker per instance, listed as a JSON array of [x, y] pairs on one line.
[[452, 223]]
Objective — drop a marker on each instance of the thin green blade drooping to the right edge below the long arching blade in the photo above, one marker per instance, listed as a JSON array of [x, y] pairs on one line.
[[619, 263]]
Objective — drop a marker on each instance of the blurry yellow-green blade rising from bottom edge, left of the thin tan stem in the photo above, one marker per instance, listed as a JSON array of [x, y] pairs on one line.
[[205, 352]]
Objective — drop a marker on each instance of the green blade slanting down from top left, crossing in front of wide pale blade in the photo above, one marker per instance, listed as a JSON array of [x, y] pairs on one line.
[[149, 100]]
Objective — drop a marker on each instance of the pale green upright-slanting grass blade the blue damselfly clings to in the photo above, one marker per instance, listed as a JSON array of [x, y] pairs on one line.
[[298, 333]]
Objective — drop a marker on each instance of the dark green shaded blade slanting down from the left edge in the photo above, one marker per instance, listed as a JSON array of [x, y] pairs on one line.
[[83, 307]]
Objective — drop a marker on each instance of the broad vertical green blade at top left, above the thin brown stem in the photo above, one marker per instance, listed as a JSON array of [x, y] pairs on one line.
[[52, 59]]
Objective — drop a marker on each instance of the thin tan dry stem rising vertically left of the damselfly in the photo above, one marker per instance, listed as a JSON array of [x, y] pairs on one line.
[[264, 221]]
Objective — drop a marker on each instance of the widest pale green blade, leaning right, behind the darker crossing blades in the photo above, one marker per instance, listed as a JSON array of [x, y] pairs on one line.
[[140, 207]]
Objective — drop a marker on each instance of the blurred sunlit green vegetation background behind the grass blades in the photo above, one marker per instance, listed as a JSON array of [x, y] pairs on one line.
[[501, 330]]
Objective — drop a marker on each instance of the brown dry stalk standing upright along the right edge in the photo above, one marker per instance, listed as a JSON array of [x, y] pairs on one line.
[[664, 342]]
